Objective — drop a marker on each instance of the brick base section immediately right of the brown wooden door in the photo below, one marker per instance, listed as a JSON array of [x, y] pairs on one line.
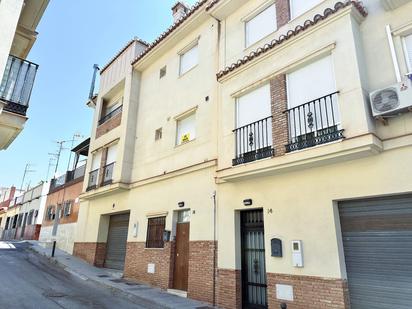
[[201, 270]]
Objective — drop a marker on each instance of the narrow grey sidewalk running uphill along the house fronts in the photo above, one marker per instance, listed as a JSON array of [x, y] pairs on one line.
[[139, 293]]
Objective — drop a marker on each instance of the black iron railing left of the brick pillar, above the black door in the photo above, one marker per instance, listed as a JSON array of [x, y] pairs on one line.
[[253, 141]]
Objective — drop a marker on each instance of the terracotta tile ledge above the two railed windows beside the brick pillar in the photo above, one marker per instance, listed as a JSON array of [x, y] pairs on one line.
[[291, 33]]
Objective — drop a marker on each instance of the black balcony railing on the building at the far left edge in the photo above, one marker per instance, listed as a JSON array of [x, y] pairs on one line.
[[17, 84]]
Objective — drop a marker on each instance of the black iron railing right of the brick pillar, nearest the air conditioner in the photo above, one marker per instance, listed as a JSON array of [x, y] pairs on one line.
[[314, 123]]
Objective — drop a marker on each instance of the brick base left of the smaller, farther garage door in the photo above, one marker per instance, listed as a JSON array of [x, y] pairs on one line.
[[93, 253]]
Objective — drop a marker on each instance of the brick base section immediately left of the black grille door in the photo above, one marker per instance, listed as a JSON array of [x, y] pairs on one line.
[[229, 289]]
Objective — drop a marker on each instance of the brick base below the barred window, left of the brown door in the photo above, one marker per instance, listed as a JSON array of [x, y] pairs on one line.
[[137, 258]]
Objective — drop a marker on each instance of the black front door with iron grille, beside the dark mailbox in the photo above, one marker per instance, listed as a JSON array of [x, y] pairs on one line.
[[253, 260]]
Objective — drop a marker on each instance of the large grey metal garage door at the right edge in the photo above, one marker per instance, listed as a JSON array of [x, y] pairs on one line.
[[377, 240]]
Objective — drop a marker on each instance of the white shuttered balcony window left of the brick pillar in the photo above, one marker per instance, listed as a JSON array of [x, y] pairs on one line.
[[253, 120]]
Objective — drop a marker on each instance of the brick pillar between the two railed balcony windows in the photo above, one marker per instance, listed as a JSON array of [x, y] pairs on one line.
[[278, 94]]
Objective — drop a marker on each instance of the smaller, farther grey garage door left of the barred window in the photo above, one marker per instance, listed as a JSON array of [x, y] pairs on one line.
[[117, 241]]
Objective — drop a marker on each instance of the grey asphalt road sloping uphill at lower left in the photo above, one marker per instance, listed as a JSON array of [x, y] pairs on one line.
[[29, 281]]
